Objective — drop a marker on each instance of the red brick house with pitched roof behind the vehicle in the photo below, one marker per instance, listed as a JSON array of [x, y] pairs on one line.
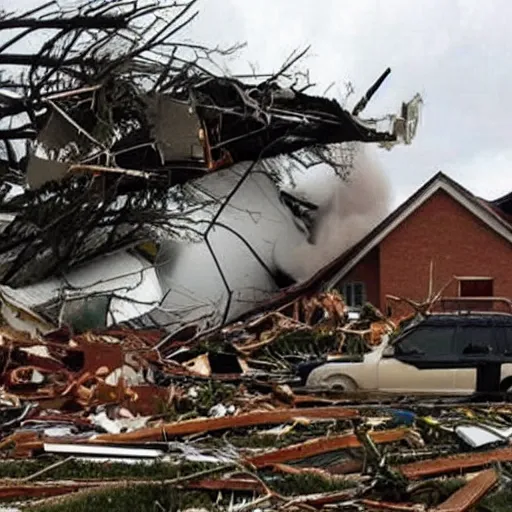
[[442, 230]]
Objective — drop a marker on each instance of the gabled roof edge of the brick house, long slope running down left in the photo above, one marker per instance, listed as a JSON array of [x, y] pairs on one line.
[[492, 213]]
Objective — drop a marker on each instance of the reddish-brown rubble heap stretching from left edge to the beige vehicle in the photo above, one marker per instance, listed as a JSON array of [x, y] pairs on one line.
[[144, 370]]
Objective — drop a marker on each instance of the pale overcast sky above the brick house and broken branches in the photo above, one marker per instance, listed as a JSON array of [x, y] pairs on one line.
[[455, 53]]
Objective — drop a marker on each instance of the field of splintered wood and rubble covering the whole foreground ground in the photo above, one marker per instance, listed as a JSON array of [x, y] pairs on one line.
[[123, 416]]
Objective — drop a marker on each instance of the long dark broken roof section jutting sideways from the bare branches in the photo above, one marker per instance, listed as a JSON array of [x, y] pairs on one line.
[[206, 126]]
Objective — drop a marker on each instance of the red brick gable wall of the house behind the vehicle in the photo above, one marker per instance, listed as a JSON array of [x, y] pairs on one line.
[[459, 243]]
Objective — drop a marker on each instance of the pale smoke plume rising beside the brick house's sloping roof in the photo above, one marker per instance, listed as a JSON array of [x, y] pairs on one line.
[[348, 210]]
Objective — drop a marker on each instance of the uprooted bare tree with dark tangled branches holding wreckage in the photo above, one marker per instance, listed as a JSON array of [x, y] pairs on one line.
[[108, 120]]
